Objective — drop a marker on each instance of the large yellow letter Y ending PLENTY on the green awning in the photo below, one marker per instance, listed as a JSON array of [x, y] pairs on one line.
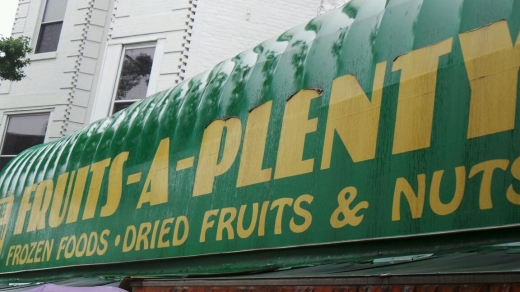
[[492, 67]]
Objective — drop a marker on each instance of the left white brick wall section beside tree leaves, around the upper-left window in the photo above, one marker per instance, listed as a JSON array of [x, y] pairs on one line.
[[54, 79]]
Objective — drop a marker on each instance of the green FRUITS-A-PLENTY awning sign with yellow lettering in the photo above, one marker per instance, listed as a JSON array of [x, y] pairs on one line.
[[397, 124]]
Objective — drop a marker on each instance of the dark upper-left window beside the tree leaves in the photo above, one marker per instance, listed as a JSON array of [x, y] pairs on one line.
[[50, 28]]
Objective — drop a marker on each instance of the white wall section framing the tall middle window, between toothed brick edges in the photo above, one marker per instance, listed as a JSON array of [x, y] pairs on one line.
[[135, 22]]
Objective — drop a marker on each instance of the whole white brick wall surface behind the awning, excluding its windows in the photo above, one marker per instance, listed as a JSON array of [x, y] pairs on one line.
[[77, 82]]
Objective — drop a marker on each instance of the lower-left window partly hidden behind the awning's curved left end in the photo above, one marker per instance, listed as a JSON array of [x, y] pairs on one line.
[[23, 131]]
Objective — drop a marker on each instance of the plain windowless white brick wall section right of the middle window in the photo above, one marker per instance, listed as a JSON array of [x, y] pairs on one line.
[[223, 28]]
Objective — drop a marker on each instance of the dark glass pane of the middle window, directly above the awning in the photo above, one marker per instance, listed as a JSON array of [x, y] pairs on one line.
[[135, 74]]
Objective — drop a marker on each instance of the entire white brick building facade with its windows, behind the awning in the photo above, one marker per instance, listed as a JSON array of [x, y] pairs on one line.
[[94, 57]]
